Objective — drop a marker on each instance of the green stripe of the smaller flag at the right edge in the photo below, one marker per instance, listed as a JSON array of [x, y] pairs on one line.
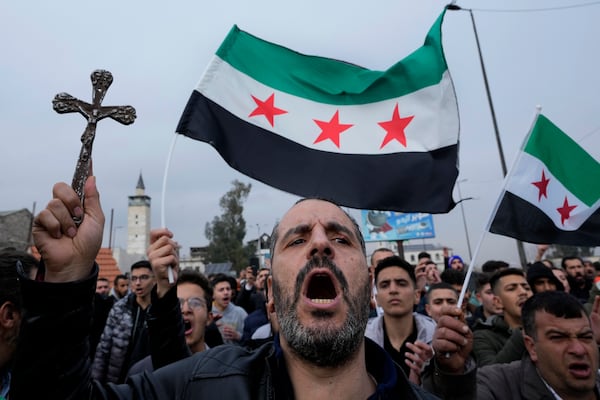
[[578, 171]]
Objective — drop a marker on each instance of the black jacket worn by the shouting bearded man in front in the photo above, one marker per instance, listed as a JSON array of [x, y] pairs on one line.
[[52, 359]]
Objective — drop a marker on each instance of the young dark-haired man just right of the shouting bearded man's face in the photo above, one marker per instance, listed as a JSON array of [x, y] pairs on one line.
[[404, 334]]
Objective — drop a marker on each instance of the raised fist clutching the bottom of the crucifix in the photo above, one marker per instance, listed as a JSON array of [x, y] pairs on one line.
[[69, 250]]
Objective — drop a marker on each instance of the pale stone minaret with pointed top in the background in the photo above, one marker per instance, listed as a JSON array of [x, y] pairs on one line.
[[138, 220]]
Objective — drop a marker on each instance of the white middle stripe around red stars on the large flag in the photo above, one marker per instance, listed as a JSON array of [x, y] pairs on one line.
[[435, 122]]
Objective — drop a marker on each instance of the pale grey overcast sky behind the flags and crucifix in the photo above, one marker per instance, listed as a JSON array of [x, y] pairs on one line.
[[158, 51]]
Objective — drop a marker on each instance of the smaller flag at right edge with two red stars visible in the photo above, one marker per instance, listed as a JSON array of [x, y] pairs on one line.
[[553, 194]]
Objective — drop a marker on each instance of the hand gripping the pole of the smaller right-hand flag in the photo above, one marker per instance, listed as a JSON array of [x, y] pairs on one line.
[[452, 340]]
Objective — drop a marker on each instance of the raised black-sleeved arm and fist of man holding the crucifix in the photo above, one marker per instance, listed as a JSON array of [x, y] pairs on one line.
[[52, 360]]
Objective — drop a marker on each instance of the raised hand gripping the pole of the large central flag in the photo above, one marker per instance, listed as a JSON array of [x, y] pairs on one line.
[[162, 254]]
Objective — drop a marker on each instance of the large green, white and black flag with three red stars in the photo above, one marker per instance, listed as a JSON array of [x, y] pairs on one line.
[[318, 127]]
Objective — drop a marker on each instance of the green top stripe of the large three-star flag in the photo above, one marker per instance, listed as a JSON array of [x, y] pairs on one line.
[[329, 81]]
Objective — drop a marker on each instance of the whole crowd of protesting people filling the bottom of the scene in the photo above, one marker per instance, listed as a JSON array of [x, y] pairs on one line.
[[322, 322]]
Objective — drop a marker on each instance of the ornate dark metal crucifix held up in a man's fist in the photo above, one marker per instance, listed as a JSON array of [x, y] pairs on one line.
[[94, 112]]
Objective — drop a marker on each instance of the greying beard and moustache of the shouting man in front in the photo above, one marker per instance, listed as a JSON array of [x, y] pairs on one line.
[[324, 346]]
